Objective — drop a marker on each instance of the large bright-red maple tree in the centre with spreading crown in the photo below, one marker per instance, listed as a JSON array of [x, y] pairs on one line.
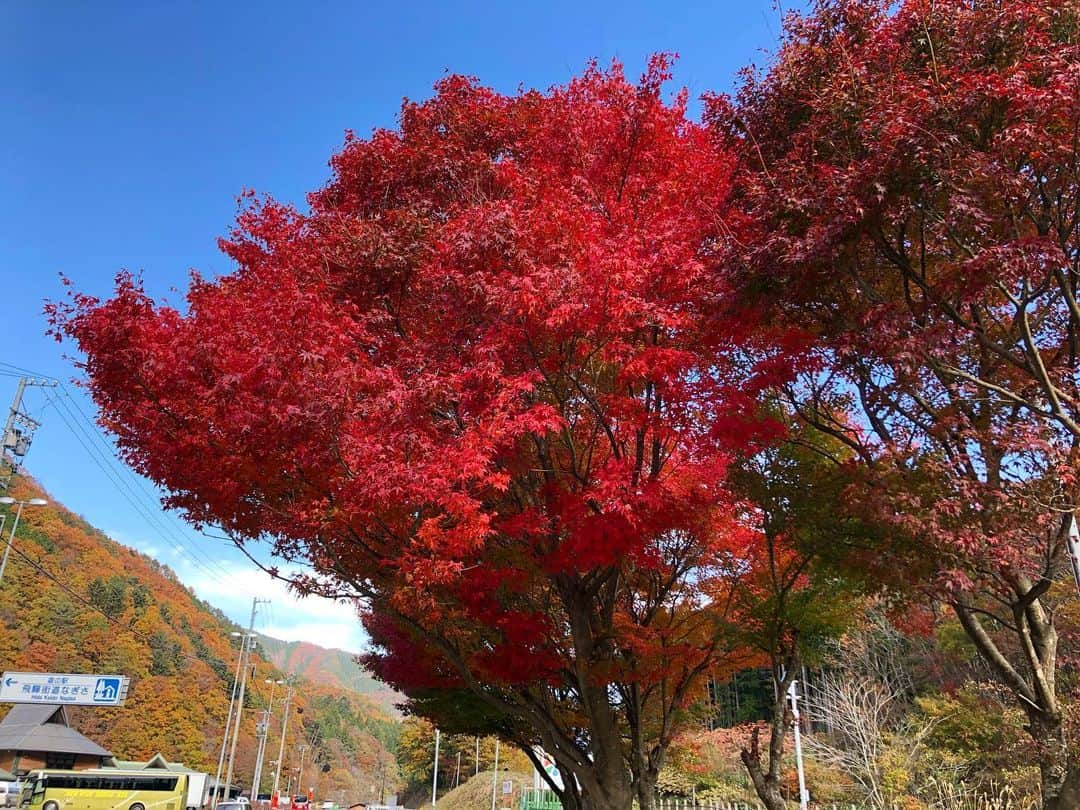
[[483, 385]]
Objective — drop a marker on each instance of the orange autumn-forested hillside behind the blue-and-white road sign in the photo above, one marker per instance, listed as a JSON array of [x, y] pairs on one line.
[[74, 601]]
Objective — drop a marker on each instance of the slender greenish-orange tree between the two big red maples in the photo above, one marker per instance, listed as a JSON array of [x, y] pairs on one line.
[[799, 591]]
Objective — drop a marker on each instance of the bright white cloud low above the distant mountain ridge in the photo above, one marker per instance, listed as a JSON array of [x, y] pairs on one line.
[[314, 619]]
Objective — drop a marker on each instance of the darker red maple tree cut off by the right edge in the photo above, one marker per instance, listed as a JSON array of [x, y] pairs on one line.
[[912, 172]]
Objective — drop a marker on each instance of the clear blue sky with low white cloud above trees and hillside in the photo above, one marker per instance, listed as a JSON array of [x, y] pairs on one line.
[[129, 129]]
